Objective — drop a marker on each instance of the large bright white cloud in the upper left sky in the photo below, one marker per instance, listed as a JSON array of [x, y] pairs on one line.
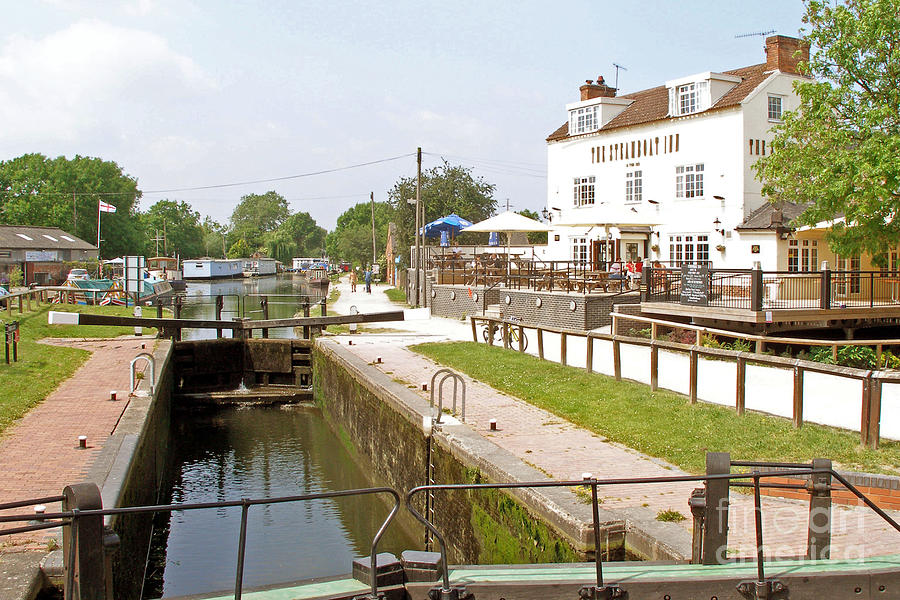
[[91, 76]]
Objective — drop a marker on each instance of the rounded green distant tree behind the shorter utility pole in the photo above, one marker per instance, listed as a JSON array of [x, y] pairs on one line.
[[351, 239]]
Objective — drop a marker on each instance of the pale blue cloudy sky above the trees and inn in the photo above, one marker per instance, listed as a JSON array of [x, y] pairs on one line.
[[188, 94]]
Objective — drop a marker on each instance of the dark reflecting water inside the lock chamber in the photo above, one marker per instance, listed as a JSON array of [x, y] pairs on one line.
[[235, 453]]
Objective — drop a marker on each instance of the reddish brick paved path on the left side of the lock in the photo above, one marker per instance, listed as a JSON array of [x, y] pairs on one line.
[[39, 455]]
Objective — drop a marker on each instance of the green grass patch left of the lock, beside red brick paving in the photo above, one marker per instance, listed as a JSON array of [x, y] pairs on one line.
[[41, 368]]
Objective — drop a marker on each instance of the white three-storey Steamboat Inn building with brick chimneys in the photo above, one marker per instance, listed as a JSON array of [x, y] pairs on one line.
[[665, 173]]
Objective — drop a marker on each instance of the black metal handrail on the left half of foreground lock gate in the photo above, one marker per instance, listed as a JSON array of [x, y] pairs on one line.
[[66, 518]]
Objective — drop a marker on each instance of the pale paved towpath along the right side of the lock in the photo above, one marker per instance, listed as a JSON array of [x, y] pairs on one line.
[[565, 451]]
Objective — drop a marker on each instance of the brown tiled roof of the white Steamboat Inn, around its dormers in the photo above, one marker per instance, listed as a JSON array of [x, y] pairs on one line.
[[653, 104]]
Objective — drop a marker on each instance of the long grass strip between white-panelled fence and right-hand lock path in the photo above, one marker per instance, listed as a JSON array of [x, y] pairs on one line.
[[661, 424]]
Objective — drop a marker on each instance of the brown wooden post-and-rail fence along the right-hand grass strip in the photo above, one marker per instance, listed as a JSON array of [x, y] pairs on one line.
[[872, 380]]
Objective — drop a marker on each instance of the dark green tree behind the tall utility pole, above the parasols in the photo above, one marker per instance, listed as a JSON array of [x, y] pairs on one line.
[[446, 189]]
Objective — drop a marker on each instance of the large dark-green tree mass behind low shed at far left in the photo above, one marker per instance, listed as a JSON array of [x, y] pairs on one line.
[[64, 193]]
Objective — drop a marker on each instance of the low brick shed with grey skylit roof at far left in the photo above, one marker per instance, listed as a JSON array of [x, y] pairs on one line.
[[41, 253]]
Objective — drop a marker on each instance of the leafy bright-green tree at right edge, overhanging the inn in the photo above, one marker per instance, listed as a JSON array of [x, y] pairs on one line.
[[839, 154]]
